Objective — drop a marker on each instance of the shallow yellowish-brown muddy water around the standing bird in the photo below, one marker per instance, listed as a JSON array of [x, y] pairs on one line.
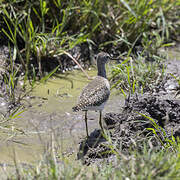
[[49, 111]]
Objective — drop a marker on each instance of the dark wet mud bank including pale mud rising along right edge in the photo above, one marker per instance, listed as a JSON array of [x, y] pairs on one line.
[[152, 118]]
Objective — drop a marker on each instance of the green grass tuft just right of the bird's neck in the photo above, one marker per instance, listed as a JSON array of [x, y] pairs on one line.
[[136, 75]]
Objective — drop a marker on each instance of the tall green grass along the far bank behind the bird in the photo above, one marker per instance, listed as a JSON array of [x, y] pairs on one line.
[[47, 27]]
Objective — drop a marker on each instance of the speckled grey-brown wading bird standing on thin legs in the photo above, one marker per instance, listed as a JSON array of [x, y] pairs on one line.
[[95, 94]]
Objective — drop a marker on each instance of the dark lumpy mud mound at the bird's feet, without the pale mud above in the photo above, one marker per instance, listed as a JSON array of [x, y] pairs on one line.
[[128, 129]]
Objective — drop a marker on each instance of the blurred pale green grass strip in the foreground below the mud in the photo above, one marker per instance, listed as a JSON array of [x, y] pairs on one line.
[[147, 164]]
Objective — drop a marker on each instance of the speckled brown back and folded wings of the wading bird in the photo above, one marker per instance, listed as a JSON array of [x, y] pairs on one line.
[[94, 94]]
